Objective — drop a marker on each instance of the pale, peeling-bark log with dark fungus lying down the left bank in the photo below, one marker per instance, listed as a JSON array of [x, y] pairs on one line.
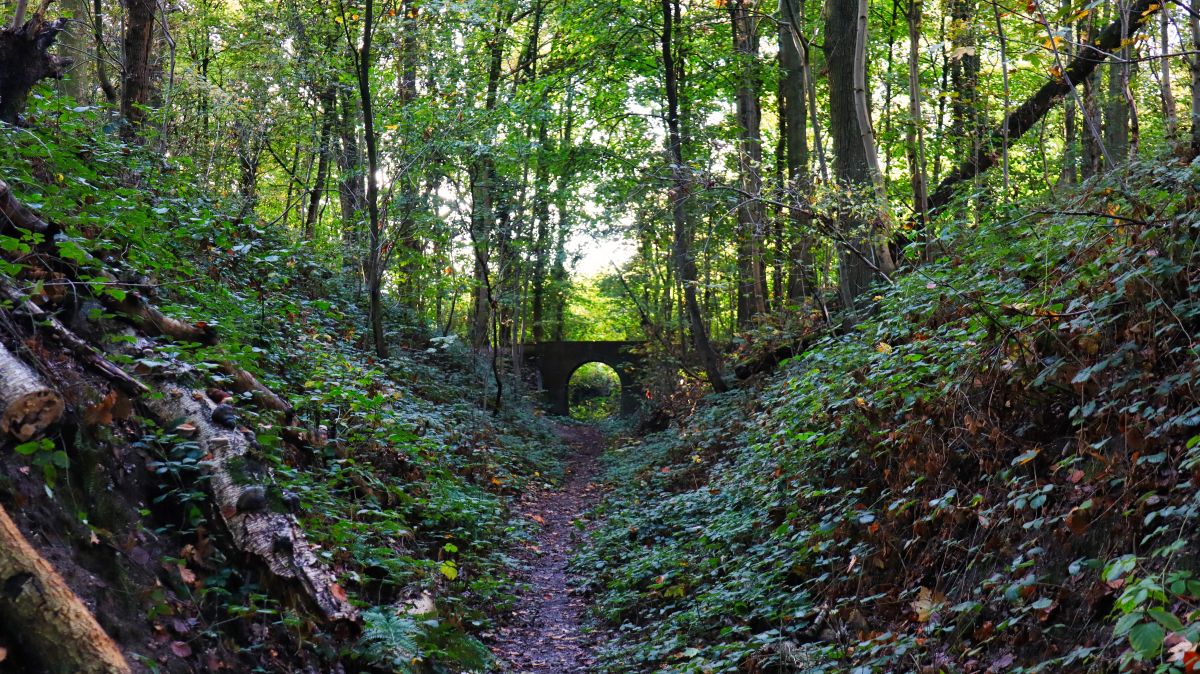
[[272, 539]]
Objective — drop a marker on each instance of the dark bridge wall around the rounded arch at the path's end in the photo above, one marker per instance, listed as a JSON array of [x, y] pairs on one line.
[[557, 362]]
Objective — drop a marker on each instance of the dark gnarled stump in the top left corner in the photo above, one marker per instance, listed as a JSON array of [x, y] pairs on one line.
[[26, 61]]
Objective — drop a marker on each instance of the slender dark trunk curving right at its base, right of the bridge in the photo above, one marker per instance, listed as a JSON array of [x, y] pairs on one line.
[[685, 263]]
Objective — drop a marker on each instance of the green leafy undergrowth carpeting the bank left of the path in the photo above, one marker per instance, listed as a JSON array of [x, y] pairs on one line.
[[406, 484]]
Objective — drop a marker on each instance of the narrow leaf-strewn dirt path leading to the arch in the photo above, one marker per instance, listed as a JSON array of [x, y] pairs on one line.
[[544, 635]]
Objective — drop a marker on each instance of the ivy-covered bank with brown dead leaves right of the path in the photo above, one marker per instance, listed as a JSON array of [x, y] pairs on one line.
[[997, 471]]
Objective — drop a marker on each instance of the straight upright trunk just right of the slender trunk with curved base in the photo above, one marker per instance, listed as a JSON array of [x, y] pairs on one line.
[[752, 286]]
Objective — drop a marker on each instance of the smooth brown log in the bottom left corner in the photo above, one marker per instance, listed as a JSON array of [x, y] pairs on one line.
[[51, 622]]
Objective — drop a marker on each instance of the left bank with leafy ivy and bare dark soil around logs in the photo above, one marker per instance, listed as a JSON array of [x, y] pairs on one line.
[[404, 482]]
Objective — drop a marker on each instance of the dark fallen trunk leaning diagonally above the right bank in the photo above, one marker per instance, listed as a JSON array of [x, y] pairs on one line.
[[1023, 119]]
